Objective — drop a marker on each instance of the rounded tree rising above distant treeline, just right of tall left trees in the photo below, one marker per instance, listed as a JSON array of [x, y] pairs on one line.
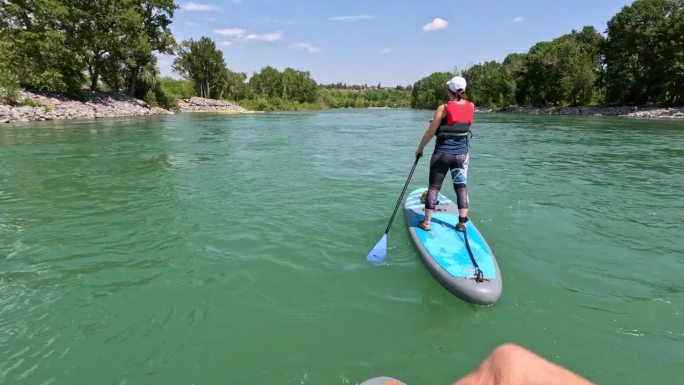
[[201, 62]]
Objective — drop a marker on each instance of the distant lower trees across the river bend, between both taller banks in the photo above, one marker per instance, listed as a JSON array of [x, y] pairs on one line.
[[202, 64]]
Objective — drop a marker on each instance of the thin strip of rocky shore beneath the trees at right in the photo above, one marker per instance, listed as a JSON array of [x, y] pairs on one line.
[[630, 112]]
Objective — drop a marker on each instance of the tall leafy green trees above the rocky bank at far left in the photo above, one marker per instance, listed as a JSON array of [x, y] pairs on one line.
[[64, 45]]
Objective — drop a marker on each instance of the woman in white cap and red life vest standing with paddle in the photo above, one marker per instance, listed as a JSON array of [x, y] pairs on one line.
[[451, 125]]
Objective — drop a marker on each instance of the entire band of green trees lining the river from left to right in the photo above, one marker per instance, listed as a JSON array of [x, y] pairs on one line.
[[72, 46]]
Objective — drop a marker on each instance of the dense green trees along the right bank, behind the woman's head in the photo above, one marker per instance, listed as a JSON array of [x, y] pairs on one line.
[[639, 61]]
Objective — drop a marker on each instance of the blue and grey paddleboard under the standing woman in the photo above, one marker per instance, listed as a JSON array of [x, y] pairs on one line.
[[443, 251]]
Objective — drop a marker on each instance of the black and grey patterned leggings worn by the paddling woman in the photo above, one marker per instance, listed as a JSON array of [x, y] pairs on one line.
[[440, 164]]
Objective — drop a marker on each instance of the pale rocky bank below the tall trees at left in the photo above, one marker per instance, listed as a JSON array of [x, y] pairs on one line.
[[43, 106]]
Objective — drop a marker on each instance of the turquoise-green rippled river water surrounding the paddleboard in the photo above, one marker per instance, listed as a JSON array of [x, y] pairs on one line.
[[214, 249]]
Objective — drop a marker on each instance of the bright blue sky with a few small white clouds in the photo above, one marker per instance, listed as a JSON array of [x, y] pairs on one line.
[[379, 41]]
